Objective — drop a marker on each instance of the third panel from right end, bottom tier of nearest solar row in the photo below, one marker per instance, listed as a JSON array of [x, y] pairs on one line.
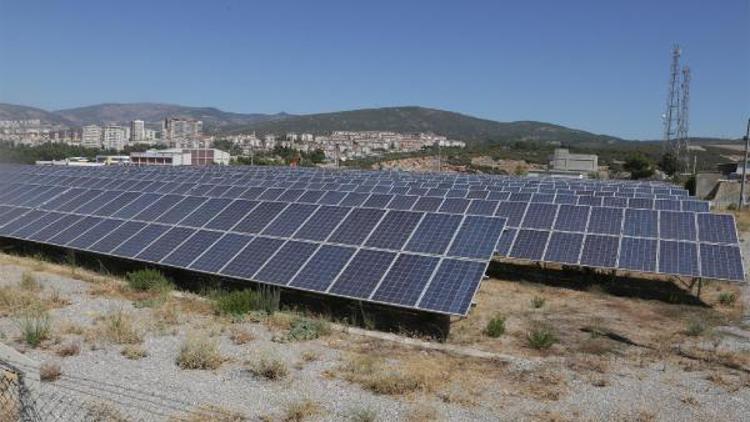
[[363, 273]]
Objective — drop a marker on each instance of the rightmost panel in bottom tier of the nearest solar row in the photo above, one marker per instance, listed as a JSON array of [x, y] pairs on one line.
[[453, 286]]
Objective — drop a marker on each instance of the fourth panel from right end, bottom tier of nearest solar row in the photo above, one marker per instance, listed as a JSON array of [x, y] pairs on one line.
[[323, 267]]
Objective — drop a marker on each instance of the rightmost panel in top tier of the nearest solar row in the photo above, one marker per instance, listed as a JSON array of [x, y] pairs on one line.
[[477, 237]]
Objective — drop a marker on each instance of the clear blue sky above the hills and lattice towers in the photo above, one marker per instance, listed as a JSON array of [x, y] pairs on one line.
[[600, 66]]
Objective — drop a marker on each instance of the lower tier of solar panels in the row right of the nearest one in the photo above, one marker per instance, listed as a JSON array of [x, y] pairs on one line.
[[624, 252]]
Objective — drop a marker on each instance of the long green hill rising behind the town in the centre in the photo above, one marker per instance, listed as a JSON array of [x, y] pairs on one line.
[[420, 119]]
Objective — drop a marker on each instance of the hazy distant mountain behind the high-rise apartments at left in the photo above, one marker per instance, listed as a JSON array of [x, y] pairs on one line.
[[213, 118]]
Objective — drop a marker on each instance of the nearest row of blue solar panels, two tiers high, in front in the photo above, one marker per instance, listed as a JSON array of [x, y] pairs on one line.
[[427, 261]]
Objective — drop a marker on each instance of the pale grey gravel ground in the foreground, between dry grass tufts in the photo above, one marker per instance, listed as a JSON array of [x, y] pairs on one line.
[[154, 387]]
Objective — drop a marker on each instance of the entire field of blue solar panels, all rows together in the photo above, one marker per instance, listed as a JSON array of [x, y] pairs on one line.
[[405, 239]]
